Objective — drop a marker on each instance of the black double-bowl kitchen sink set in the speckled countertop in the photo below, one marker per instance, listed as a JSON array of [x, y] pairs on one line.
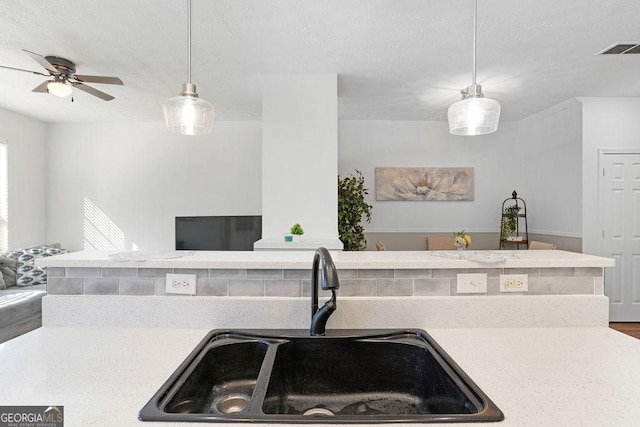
[[347, 376]]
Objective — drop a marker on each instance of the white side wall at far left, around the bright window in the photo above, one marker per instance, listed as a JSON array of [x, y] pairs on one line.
[[26, 141]]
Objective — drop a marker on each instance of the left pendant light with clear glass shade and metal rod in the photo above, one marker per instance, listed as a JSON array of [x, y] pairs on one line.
[[187, 114]]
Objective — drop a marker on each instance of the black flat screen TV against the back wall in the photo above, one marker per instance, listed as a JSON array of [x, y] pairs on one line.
[[218, 233]]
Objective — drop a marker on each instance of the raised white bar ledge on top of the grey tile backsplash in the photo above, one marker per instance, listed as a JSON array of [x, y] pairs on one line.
[[345, 260]]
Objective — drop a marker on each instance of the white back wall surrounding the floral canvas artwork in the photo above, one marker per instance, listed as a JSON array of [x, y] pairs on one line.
[[496, 158]]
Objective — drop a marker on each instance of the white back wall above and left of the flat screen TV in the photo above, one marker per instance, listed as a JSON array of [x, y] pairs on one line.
[[120, 185]]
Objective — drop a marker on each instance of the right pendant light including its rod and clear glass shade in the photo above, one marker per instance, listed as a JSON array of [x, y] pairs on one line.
[[474, 114]]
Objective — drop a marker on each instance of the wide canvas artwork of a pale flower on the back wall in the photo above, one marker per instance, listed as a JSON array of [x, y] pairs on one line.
[[424, 184]]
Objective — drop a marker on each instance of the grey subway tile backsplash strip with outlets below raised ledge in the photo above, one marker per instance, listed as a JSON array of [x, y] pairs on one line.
[[296, 283]]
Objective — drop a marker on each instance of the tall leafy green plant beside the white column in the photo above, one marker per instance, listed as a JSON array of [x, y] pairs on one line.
[[352, 209]]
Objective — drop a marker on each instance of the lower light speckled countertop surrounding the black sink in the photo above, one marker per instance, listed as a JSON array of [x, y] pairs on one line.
[[536, 376]]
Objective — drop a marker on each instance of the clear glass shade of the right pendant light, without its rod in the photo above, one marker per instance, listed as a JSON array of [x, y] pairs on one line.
[[474, 116]]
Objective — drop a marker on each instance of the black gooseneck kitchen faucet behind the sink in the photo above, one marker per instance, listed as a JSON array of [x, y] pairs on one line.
[[325, 271]]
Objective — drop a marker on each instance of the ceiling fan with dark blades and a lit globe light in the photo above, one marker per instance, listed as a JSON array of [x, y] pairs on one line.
[[64, 77]]
